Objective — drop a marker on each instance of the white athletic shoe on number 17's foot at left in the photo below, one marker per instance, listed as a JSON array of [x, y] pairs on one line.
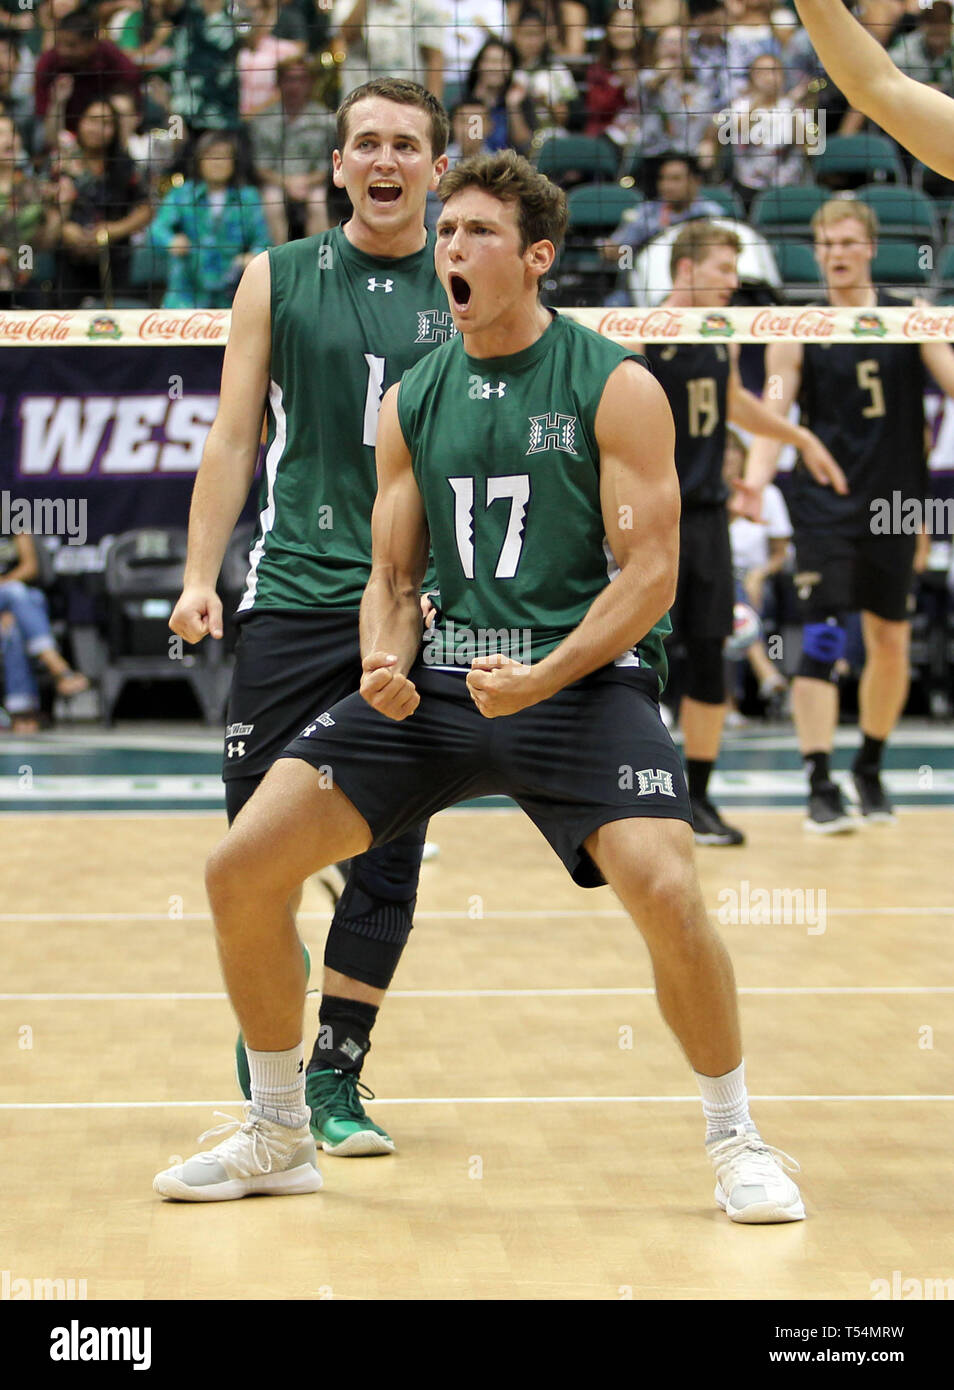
[[261, 1159]]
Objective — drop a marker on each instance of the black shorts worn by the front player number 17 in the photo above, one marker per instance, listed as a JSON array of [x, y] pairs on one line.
[[595, 753]]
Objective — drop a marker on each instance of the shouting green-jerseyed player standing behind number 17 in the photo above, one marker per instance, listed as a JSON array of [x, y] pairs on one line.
[[321, 330]]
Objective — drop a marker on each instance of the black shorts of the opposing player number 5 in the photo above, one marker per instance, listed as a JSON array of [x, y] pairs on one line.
[[838, 575]]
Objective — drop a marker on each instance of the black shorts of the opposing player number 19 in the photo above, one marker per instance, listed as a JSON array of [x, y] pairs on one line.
[[706, 591]]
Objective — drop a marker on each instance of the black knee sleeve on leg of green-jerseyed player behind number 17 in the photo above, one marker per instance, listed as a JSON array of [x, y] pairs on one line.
[[376, 911]]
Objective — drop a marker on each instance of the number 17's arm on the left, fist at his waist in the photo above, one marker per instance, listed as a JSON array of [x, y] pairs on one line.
[[391, 610]]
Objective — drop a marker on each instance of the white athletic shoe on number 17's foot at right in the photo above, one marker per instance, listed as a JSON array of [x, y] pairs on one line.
[[752, 1182]]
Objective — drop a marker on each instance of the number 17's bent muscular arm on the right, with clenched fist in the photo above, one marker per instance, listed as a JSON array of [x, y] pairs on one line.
[[640, 505]]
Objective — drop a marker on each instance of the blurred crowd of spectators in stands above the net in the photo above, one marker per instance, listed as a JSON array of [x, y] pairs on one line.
[[151, 148]]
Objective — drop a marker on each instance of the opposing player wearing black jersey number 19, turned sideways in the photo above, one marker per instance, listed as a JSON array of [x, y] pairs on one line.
[[706, 391]]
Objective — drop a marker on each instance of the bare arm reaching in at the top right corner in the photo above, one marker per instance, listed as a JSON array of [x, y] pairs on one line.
[[914, 113]]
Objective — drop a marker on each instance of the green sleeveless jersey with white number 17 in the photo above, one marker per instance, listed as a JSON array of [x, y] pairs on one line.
[[506, 455]]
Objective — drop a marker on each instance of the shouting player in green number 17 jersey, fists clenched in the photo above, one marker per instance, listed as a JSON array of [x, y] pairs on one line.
[[537, 458]]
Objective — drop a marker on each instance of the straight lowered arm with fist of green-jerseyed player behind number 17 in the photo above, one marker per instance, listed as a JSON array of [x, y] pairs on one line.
[[230, 455]]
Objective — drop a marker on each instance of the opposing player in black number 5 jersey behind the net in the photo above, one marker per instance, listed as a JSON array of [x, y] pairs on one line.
[[866, 401]]
